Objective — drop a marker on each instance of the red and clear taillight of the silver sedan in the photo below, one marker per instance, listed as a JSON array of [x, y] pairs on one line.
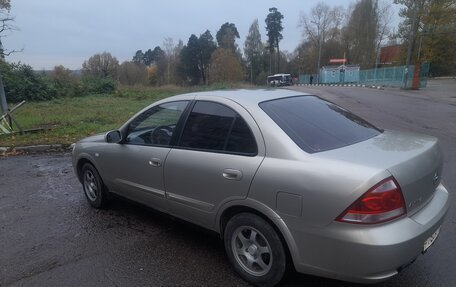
[[383, 202]]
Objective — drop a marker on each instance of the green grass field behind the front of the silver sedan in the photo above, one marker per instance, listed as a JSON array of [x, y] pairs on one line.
[[71, 119]]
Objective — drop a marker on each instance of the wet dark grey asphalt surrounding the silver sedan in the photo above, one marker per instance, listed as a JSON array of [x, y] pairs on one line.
[[49, 236]]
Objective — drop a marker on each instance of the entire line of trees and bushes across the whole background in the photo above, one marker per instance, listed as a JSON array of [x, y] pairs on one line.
[[356, 33]]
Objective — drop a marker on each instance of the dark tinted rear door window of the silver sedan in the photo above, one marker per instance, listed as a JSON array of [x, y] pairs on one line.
[[215, 127]]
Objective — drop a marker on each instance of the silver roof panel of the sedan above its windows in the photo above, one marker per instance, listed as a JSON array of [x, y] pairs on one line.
[[245, 96]]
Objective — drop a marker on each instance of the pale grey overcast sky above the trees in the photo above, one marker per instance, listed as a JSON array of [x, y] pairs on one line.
[[64, 32]]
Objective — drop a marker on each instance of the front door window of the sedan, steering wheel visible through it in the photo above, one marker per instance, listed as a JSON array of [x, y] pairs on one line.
[[156, 125]]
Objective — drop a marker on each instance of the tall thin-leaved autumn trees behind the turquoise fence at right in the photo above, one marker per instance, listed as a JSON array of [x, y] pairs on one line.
[[360, 31]]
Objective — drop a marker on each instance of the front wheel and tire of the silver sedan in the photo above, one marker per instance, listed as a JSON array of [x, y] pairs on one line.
[[95, 191]]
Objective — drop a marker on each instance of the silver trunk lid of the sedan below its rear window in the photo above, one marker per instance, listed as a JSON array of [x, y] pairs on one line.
[[414, 160]]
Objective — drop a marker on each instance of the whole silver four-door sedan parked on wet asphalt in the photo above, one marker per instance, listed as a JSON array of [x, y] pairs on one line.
[[287, 179]]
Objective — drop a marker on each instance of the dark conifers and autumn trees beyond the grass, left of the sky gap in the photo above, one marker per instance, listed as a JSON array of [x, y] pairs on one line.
[[202, 60]]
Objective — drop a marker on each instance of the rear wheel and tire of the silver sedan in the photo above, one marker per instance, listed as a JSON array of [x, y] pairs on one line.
[[255, 249]]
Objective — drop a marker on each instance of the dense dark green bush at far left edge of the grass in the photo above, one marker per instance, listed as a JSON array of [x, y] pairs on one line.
[[22, 83]]
